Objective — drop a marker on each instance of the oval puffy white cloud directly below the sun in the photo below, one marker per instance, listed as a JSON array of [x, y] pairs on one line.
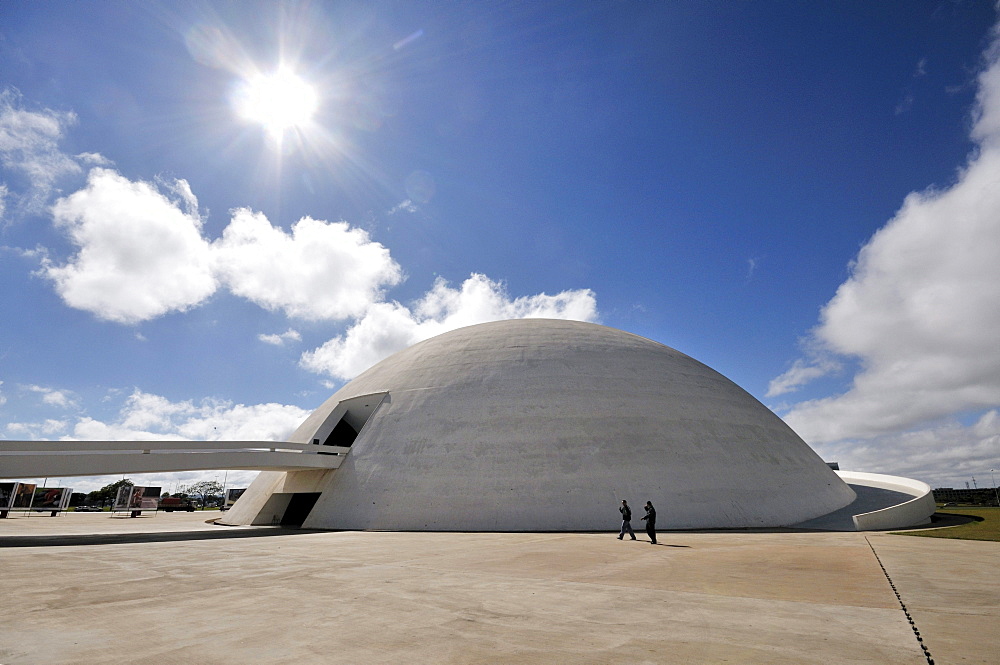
[[321, 270]]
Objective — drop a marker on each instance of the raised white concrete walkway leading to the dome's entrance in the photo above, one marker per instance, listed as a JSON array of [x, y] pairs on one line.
[[38, 459]]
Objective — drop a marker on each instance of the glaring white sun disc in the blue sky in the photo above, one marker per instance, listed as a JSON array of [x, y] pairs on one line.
[[278, 101]]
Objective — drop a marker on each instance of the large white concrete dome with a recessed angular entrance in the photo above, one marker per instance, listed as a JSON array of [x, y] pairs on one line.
[[538, 425]]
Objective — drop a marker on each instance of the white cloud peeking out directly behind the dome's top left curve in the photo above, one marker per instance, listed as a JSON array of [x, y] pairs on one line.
[[389, 327]]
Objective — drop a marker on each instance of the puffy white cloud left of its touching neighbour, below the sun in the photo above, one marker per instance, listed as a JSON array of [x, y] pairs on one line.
[[139, 255]]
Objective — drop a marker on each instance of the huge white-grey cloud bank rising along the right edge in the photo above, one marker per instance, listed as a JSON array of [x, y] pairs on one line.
[[920, 312]]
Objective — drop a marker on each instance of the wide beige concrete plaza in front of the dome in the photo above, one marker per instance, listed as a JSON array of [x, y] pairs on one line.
[[90, 588]]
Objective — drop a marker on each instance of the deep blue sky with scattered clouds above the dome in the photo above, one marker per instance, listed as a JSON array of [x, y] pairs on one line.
[[804, 196]]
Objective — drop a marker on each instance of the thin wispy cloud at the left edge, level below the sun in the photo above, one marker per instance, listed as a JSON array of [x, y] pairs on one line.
[[29, 149]]
